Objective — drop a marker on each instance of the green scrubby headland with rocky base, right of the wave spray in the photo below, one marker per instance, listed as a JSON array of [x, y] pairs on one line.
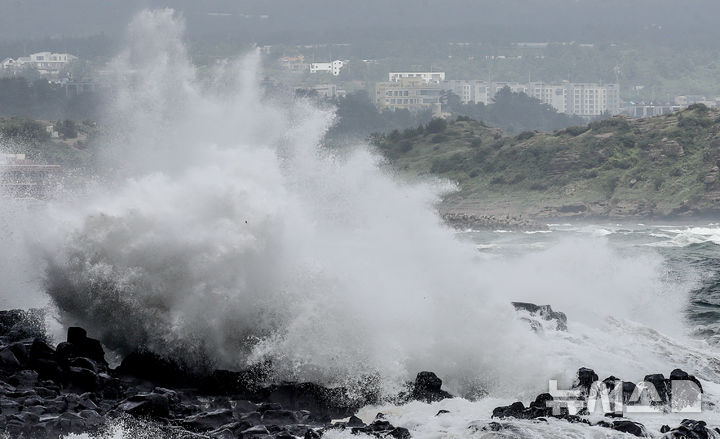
[[664, 166]]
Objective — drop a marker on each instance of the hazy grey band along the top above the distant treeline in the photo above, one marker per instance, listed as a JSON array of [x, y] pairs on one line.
[[338, 20]]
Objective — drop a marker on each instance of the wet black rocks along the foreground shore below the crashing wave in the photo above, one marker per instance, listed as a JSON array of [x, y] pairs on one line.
[[46, 392]]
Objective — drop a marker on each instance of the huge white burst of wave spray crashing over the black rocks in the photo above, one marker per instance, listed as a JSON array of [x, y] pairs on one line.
[[223, 235]]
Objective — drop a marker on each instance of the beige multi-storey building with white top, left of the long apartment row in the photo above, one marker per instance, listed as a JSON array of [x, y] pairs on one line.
[[413, 94]]
